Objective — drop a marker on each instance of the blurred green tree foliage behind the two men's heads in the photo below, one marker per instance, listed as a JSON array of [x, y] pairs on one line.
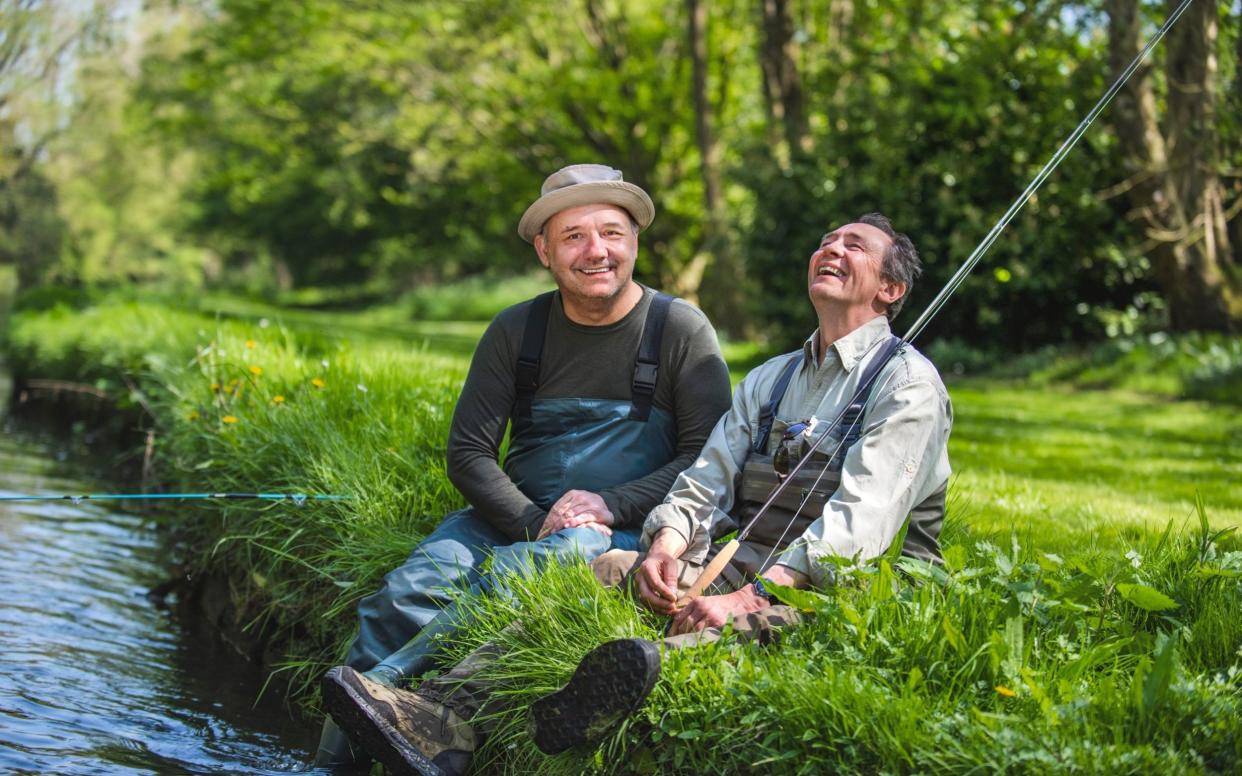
[[260, 147]]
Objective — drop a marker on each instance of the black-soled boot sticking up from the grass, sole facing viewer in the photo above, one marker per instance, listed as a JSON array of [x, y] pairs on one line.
[[609, 686]]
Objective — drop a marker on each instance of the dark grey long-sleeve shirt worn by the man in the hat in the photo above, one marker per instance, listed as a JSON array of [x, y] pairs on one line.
[[589, 363]]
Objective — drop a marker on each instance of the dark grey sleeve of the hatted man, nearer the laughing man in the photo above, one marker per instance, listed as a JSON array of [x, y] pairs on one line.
[[701, 395]]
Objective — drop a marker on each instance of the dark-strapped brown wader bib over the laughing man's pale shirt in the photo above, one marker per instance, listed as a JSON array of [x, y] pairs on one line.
[[803, 501]]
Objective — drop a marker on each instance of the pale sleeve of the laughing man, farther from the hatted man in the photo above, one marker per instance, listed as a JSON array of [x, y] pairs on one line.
[[900, 461]]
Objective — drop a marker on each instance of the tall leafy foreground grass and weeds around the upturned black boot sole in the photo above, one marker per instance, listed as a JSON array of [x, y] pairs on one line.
[[1010, 661]]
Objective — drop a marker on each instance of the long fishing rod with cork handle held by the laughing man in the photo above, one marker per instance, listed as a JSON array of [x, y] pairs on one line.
[[717, 566]]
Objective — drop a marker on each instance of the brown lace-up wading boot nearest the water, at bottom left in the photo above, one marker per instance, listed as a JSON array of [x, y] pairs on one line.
[[407, 732]]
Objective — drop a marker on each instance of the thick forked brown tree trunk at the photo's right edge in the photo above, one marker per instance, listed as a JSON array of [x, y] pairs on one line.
[[1176, 186]]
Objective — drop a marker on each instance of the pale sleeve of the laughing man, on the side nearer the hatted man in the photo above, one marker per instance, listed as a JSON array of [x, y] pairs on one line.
[[699, 505]]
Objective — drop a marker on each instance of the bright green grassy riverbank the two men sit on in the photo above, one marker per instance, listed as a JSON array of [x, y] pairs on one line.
[[1087, 620]]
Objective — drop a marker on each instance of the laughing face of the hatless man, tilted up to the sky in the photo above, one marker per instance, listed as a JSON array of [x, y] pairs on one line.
[[845, 274]]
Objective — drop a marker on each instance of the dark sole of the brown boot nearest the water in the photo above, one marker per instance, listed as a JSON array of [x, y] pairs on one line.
[[347, 701]]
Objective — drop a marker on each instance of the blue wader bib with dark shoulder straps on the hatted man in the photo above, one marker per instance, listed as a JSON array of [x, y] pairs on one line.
[[589, 444]]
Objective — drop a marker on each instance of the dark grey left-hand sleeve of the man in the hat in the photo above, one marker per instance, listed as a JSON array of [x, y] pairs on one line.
[[476, 434]]
